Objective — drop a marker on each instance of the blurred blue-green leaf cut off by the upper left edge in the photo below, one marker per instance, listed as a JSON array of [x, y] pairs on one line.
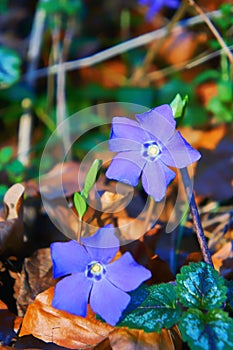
[[9, 67]]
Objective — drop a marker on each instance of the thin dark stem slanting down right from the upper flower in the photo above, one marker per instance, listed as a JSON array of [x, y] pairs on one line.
[[195, 215]]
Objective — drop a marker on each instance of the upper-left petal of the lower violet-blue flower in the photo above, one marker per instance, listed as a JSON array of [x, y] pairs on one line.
[[68, 257]]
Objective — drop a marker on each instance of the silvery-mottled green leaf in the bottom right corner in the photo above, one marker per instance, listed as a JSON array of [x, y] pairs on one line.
[[210, 331]]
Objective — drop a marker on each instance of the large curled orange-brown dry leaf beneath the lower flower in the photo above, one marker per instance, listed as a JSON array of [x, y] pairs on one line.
[[60, 327]]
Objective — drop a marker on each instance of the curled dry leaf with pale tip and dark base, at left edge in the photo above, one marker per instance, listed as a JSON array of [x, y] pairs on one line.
[[11, 227]]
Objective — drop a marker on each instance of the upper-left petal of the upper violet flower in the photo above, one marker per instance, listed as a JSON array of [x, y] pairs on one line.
[[128, 129]]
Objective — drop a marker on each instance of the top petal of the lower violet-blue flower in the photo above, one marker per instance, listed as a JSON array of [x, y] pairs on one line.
[[103, 245]]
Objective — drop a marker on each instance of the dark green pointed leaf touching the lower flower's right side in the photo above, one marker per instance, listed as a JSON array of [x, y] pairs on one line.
[[159, 310]]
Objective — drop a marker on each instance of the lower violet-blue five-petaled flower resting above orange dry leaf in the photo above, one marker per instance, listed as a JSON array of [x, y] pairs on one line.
[[92, 277]]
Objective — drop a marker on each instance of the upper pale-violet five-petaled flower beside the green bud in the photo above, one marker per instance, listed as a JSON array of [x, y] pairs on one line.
[[147, 148]]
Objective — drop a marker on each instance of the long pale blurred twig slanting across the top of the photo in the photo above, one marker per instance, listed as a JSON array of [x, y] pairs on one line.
[[120, 48]]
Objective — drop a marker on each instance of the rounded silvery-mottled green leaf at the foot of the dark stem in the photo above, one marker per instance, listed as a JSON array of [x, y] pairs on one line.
[[200, 286]]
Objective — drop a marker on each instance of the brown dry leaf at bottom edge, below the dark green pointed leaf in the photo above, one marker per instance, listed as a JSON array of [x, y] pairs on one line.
[[131, 339]]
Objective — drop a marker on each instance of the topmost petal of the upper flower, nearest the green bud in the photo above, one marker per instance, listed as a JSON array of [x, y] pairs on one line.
[[159, 122]]
